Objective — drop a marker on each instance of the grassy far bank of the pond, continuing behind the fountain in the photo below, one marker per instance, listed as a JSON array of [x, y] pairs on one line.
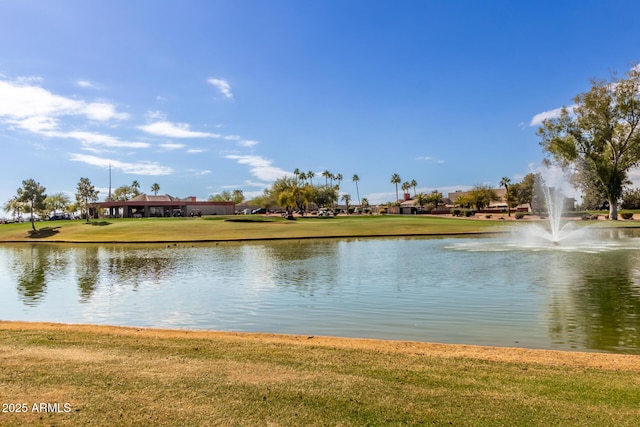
[[348, 227]]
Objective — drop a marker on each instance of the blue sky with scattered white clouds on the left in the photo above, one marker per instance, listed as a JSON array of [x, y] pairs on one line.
[[203, 96]]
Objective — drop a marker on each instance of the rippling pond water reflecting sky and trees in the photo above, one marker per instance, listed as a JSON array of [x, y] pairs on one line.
[[452, 290]]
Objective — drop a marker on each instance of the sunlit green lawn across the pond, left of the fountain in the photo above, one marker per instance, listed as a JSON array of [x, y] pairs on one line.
[[240, 228]]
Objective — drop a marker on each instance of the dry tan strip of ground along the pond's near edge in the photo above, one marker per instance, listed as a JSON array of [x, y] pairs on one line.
[[551, 358]]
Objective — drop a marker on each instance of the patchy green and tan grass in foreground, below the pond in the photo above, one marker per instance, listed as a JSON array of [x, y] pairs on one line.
[[101, 375]]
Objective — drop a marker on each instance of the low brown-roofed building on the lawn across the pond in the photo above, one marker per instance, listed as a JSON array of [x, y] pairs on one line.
[[144, 206]]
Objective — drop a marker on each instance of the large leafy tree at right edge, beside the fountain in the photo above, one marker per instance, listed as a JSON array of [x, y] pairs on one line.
[[603, 130]]
